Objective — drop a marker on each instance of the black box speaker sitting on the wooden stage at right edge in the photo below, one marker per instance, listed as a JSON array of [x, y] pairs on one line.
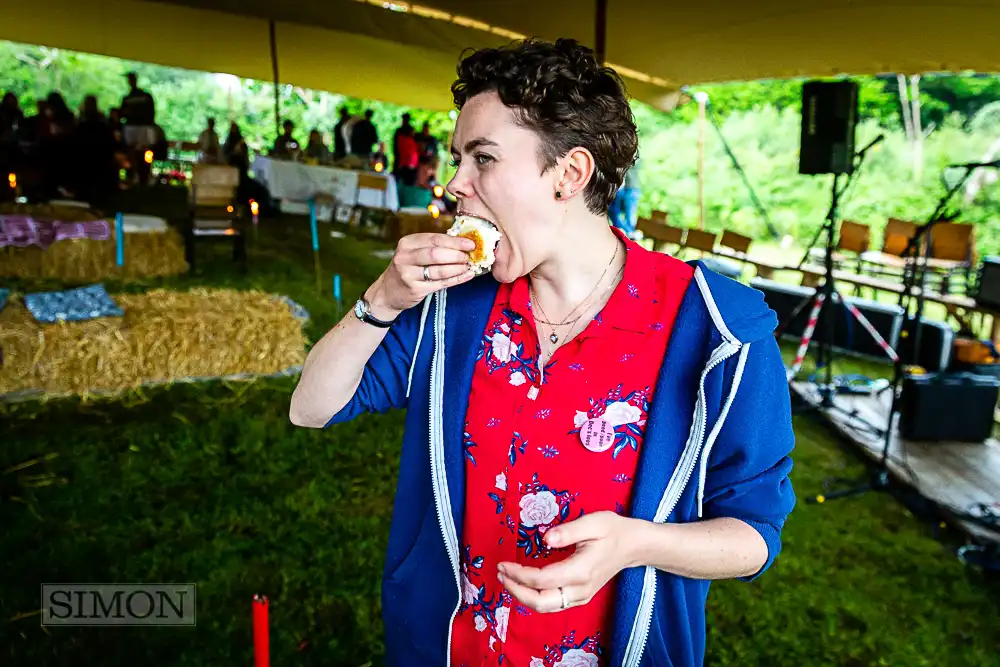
[[947, 406]]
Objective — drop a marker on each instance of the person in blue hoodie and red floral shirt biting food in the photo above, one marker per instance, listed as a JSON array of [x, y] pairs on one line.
[[594, 431]]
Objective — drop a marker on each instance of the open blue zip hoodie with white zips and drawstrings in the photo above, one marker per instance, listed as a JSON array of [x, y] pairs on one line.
[[717, 444]]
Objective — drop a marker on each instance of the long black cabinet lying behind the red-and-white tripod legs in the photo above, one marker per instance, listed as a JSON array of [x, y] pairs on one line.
[[848, 334]]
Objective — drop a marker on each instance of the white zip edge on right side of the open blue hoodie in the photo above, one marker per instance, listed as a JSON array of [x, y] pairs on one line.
[[671, 496]]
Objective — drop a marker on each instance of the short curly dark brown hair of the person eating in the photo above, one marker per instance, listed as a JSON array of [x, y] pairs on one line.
[[562, 93]]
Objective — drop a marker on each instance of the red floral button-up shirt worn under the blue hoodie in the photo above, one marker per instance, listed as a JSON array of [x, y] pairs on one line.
[[527, 467]]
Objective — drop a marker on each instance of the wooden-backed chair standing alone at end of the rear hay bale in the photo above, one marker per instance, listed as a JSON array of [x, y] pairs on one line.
[[215, 210]]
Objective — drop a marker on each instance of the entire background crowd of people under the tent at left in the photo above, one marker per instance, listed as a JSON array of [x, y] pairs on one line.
[[58, 153]]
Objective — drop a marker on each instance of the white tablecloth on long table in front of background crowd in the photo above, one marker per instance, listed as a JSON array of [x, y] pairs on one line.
[[297, 182]]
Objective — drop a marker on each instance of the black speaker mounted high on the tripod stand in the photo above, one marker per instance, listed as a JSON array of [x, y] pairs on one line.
[[829, 115]]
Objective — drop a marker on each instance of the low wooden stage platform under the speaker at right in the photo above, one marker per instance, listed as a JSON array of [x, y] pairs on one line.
[[955, 476]]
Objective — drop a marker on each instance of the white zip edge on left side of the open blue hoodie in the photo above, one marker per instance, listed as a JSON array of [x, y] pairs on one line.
[[439, 479]]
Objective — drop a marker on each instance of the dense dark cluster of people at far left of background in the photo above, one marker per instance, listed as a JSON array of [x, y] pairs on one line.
[[58, 153]]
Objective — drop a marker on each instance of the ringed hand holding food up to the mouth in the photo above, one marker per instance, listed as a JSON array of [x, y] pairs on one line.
[[402, 284]]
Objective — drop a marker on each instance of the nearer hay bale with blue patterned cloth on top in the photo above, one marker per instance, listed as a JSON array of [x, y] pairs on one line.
[[164, 337]]
